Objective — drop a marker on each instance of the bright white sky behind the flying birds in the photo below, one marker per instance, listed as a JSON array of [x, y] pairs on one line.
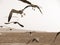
[[49, 21]]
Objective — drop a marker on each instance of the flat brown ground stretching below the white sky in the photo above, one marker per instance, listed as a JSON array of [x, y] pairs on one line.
[[21, 37]]
